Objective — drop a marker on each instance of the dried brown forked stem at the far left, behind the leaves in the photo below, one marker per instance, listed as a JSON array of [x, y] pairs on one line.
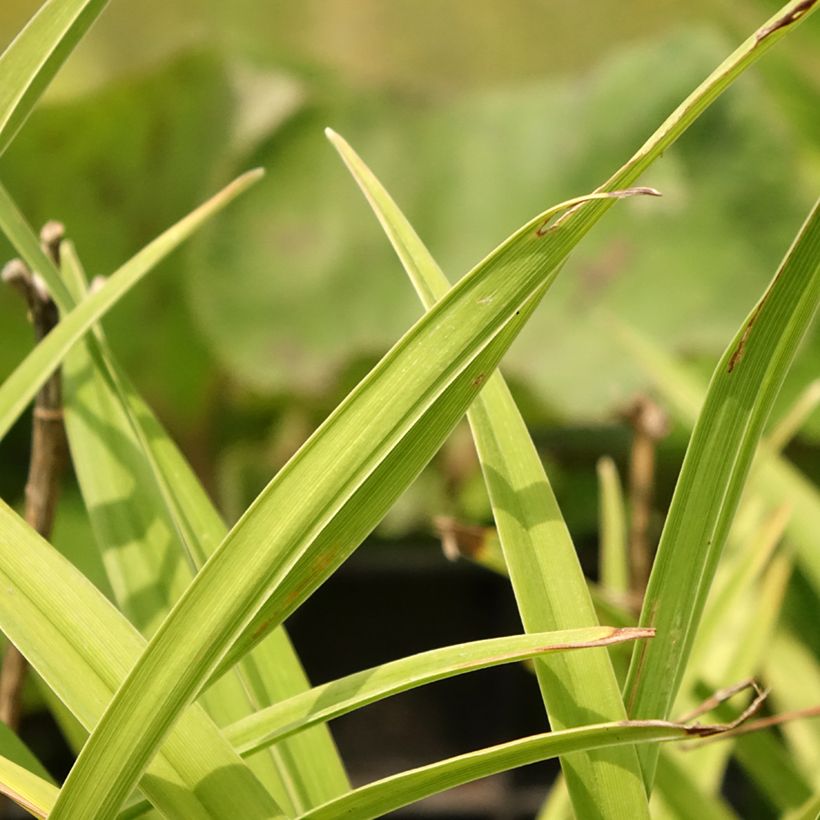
[[48, 449]]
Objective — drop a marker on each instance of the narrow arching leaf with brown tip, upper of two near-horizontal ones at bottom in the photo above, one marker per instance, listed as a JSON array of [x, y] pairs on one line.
[[331, 700]]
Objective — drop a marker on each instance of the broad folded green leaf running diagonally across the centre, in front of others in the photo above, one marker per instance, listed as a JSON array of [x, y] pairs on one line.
[[283, 528]]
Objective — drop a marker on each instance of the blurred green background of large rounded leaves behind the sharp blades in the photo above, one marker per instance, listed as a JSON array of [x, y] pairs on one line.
[[475, 116]]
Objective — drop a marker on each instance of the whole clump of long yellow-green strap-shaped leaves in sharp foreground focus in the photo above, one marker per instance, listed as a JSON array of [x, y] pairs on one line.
[[178, 687]]
